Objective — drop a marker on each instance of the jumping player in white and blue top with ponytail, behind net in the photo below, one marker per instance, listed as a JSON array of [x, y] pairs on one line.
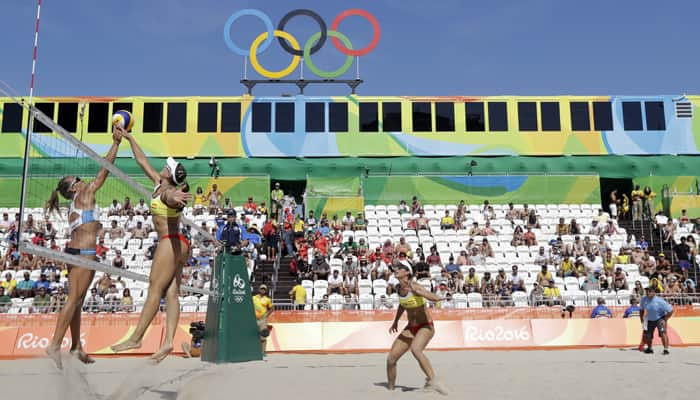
[[84, 222]]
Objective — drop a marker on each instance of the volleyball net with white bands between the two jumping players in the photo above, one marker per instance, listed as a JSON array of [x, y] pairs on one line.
[[55, 153]]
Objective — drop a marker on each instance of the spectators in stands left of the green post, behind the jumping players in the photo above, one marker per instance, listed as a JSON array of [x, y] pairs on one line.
[[32, 284]]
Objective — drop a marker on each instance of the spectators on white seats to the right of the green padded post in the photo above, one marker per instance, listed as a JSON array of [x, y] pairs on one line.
[[488, 255]]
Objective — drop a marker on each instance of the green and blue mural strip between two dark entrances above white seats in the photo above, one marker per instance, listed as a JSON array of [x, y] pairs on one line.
[[476, 189]]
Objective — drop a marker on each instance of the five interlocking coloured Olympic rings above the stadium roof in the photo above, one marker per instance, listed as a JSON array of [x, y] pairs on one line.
[[291, 45]]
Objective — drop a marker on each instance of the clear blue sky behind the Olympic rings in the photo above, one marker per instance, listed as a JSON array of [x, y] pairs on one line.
[[438, 47]]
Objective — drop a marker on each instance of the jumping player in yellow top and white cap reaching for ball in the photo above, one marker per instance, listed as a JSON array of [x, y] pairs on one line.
[[167, 202]]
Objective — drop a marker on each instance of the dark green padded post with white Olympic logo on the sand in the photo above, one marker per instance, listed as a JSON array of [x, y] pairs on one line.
[[231, 330]]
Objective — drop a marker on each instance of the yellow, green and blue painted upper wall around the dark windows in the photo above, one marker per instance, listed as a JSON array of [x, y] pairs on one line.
[[226, 127]]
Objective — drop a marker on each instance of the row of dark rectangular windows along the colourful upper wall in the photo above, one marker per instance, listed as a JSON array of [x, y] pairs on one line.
[[489, 116]]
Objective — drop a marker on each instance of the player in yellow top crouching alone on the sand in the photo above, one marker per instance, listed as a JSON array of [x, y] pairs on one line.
[[418, 332]]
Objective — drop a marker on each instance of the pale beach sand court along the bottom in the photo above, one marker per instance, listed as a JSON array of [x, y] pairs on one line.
[[522, 375]]
